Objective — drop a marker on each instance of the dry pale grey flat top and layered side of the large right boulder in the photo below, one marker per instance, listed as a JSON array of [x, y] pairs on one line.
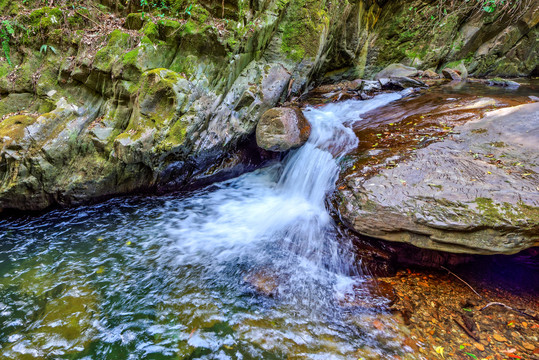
[[475, 192]]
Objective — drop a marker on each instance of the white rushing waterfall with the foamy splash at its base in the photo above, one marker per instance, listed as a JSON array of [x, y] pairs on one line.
[[275, 219]]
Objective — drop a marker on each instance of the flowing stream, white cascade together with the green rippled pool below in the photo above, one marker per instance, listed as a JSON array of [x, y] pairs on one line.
[[249, 268]]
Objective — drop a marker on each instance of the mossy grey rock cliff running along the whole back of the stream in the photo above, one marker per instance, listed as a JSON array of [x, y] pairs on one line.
[[98, 106]]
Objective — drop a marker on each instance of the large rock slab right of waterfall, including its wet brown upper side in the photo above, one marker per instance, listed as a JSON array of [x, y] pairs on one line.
[[469, 188]]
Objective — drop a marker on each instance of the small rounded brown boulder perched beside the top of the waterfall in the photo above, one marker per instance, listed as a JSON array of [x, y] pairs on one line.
[[281, 129]]
